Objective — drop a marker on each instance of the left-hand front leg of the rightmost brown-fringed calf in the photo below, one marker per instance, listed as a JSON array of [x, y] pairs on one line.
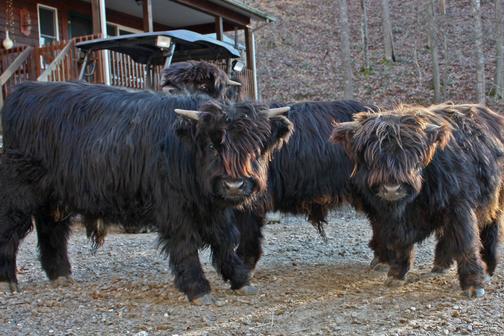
[[400, 259]]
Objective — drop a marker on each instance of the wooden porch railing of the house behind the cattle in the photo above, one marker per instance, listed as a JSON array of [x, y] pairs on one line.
[[61, 61]]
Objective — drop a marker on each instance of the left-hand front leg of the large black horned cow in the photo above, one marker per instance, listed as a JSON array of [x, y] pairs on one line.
[[186, 267]]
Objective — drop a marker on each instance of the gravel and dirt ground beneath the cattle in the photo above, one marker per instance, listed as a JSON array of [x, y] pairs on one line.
[[306, 287]]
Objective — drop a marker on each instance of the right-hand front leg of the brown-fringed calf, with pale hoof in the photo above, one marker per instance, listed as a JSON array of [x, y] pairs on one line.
[[462, 233]]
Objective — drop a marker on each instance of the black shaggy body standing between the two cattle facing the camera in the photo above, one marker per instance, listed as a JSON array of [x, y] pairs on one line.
[[308, 176]]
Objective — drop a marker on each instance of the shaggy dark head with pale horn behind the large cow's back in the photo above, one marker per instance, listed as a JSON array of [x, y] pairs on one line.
[[197, 77]]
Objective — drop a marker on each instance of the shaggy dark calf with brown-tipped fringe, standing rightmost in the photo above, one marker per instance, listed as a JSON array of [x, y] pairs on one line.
[[424, 170]]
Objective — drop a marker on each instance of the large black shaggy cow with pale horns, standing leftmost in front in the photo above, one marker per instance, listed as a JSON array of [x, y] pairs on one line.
[[126, 157]]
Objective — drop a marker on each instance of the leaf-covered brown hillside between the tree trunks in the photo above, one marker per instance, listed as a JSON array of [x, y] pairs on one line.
[[299, 55]]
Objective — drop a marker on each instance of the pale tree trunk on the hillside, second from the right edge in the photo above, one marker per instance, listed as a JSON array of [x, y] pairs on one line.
[[478, 52]]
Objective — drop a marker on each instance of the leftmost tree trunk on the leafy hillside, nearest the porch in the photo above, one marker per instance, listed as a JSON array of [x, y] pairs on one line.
[[345, 49]]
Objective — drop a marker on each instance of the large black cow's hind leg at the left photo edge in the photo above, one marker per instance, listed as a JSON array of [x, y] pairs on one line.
[[14, 226]]
